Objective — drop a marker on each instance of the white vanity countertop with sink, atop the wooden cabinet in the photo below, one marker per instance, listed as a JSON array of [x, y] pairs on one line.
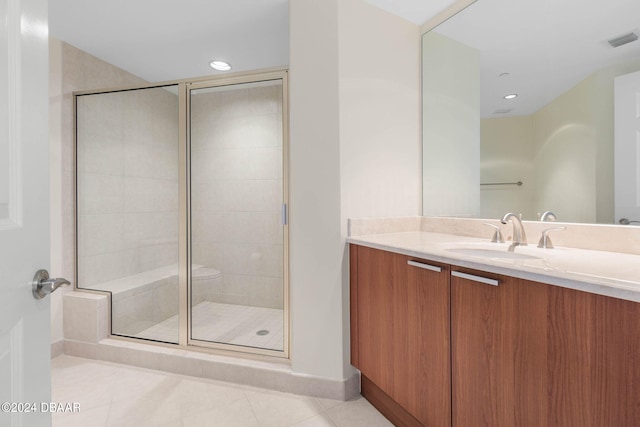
[[612, 274]]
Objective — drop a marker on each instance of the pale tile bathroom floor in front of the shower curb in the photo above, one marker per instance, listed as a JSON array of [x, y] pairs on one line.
[[118, 395]]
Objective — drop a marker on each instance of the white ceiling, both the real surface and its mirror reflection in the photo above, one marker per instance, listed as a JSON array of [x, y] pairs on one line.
[[546, 46]]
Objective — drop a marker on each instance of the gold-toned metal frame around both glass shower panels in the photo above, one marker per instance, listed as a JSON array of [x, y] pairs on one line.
[[184, 258]]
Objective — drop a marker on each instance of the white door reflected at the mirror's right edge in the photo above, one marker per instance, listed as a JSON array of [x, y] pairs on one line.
[[627, 149]]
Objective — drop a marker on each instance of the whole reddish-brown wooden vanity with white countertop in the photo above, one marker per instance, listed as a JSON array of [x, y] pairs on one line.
[[447, 333]]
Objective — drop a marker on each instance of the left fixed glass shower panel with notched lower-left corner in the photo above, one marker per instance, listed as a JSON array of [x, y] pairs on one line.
[[128, 207]]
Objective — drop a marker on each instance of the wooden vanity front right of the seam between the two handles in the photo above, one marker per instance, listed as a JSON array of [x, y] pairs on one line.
[[531, 354]]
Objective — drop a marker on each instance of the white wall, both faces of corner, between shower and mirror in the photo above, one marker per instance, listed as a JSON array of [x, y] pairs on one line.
[[354, 150]]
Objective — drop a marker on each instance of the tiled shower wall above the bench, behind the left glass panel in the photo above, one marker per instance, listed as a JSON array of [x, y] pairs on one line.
[[127, 183]]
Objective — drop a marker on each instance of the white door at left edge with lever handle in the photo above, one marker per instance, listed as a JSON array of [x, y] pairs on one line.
[[24, 218]]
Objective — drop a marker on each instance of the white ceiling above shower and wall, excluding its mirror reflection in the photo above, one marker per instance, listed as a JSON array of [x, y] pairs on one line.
[[160, 40]]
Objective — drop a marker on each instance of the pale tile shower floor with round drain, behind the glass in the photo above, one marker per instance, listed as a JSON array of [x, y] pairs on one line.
[[227, 323]]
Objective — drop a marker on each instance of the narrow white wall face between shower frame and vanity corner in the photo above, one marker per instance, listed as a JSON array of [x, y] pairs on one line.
[[316, 246]]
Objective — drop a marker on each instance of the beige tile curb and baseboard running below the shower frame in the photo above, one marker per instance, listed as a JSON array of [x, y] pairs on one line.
[[257, 373]]
